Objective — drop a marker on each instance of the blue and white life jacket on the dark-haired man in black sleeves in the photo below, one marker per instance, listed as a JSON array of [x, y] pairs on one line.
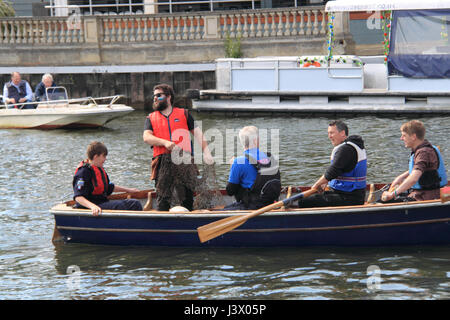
[[355, 179]]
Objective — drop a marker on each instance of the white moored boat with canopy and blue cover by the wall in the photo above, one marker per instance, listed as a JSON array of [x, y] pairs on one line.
[[414, 78]]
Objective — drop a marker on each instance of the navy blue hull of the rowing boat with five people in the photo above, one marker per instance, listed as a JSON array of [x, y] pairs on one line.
[[376, 225]]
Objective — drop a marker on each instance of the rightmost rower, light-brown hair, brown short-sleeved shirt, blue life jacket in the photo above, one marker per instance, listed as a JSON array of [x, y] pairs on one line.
[[426, 173]]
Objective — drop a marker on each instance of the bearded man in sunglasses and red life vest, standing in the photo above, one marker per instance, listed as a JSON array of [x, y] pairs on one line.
[[167, 130]]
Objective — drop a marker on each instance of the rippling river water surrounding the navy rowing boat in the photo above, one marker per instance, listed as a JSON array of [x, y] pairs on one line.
[[37, 168]]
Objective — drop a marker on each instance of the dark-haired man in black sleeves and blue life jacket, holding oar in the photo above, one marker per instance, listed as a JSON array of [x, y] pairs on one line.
[[344, 181]]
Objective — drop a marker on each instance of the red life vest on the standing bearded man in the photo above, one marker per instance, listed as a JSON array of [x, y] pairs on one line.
[[173, 128]]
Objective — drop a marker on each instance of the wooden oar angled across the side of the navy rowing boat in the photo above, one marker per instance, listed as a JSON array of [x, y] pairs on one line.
[[217, 228]]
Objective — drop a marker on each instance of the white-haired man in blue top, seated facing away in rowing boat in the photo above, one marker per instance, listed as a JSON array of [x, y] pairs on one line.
[[254, 178]]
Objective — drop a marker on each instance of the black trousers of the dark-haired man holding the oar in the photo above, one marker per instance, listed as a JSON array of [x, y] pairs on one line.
[[332, 199]]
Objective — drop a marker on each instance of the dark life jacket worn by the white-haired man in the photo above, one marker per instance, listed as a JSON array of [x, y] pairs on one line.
[[267, 186]]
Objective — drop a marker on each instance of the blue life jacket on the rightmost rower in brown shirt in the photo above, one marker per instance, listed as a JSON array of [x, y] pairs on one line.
[[432, 179]]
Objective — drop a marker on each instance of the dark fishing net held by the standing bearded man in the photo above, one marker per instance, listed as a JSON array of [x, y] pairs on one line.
[[173, 178]]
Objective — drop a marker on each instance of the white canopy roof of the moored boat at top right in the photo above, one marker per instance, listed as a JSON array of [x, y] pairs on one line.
[[380, 5]]
